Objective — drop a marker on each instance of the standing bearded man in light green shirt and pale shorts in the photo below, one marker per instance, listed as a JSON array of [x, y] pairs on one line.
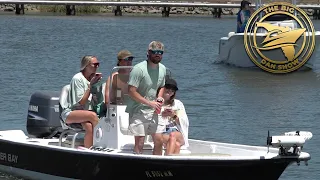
[[145, 79]]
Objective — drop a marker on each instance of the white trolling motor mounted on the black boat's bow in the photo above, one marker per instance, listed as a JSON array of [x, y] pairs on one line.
[[289, 144]]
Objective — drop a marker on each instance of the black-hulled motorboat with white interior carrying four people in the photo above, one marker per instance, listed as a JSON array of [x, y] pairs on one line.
[[51, 150]]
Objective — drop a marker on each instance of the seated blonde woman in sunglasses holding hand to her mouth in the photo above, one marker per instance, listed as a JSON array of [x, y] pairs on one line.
[[79, 108]]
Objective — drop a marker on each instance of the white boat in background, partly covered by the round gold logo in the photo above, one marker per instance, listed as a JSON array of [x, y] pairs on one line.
[[232, 48]]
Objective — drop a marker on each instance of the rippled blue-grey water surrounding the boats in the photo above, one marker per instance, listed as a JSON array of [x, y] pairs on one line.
[[224, 103]]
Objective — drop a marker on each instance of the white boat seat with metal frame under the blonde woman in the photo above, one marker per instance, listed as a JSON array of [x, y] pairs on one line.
[[68, 129]]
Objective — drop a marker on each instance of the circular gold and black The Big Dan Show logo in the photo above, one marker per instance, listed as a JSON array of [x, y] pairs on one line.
[[279, 46]]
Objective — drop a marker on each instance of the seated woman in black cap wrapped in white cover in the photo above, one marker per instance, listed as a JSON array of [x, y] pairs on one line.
[[176, 119]]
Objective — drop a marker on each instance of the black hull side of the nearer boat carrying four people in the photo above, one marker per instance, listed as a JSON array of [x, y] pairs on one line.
[[27, 160]]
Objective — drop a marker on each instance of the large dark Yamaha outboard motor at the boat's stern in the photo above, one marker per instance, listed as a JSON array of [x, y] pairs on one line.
[[43, 119]]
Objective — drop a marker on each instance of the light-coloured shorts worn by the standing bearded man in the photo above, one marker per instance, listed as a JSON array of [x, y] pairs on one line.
[[145, 124]]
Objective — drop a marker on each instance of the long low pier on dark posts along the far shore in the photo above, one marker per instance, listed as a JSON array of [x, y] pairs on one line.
[[70, 5]]
